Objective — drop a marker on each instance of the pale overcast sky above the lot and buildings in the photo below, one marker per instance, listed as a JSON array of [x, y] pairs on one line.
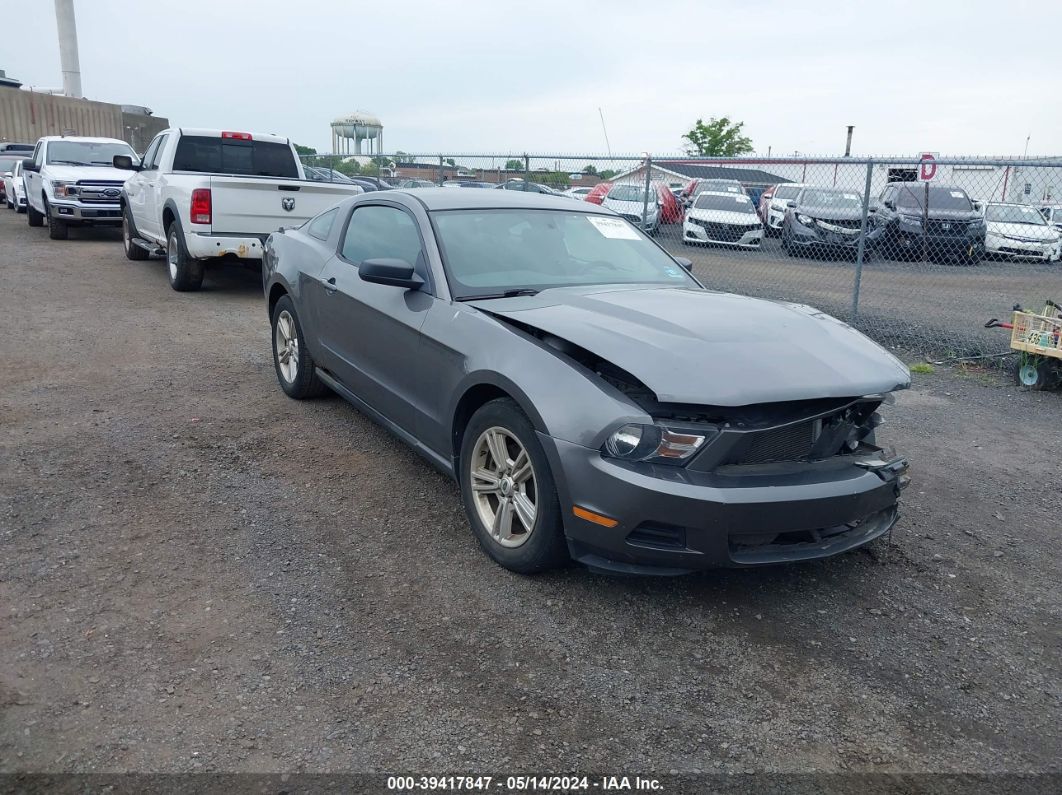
[[492, 76]]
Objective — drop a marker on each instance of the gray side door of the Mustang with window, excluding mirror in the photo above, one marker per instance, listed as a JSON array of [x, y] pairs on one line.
[[370, 334]]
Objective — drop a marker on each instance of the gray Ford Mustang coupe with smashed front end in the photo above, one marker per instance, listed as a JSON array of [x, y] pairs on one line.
[[592, 399]]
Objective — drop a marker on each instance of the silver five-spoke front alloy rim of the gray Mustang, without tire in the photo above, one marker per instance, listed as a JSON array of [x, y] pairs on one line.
[[504, 487]]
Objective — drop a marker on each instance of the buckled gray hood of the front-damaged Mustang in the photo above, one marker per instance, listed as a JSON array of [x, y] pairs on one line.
[[703, 348]]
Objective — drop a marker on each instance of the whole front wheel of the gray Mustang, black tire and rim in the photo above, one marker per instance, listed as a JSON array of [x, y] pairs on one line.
[[491, 500]]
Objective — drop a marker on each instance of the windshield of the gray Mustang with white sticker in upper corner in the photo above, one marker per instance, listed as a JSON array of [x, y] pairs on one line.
[[490, 252]]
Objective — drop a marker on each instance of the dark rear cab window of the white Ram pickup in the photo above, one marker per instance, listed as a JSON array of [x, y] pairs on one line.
[[209, 155]]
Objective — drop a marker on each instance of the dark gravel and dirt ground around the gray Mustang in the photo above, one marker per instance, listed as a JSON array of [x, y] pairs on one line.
[[198, 574]]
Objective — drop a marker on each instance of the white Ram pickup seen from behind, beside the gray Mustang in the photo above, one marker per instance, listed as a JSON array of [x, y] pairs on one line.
[[204, 194]]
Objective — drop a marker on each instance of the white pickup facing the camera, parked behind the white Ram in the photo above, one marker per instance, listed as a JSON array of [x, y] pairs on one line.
[[72, 182]]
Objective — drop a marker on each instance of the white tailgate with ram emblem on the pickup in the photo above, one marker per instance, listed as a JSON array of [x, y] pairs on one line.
[[247, 205]]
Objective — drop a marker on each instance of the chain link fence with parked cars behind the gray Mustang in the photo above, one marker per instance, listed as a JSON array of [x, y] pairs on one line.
[[918, 253]]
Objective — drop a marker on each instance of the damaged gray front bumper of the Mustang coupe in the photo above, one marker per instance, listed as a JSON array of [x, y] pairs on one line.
[[674, 521]]
